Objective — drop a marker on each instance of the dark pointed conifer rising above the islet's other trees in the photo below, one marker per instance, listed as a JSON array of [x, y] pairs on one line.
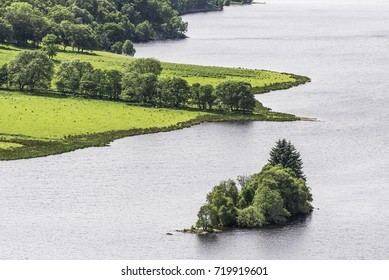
[[285, 154]]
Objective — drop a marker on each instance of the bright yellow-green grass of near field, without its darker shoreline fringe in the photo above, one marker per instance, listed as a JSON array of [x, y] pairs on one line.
[[44, 117]]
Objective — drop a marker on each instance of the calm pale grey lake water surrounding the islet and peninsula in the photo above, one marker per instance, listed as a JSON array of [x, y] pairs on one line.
[[120, 201]]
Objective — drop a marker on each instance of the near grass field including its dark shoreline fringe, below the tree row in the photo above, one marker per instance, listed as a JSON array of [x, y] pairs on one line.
[[35, 126]]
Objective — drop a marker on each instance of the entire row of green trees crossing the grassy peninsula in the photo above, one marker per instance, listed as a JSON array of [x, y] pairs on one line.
[[139, 83]]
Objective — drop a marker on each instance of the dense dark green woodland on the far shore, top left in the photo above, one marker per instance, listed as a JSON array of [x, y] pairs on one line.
[[95, 24]]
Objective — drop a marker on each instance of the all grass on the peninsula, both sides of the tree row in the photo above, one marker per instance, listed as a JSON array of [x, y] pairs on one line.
[[36, 125]]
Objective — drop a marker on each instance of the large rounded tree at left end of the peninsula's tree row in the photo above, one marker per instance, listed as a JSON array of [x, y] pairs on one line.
[[31, 69]]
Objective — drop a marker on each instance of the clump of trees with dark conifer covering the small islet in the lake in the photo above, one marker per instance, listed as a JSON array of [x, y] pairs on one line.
[[273, 196]]
